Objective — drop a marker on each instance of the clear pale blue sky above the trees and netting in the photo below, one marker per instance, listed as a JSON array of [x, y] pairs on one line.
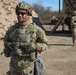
[[51, 3]]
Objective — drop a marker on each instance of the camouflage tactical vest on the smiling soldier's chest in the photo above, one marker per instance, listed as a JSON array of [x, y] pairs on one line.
[[23, 34]]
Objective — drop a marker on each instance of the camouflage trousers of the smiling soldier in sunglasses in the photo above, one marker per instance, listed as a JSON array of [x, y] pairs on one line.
[[21, 66]]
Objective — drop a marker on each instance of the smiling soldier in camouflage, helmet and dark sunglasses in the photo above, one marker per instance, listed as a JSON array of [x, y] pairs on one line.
[[24, 42]]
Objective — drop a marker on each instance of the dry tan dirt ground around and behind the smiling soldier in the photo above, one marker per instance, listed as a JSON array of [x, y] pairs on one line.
[[59, 59]]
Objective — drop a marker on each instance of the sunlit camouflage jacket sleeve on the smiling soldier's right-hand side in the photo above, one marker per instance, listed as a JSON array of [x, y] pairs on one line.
[[41, 42]]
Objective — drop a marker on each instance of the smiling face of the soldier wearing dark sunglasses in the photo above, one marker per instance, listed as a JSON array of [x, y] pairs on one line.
[[22, 16]]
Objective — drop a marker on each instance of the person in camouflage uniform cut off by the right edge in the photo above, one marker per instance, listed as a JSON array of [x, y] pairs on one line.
[[73, 22]]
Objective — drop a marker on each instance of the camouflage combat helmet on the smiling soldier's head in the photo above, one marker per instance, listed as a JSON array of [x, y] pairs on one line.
[[24, 6]]
